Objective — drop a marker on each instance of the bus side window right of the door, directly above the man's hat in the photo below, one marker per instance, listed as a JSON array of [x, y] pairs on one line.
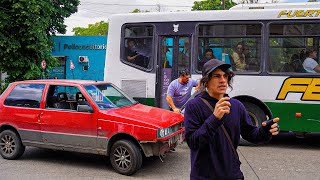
[[236, 44]]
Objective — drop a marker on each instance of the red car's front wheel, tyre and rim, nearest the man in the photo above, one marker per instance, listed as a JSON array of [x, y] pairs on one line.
[[125, 157]]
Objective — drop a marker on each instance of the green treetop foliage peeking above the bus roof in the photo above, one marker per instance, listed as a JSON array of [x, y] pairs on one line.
[[211, 5]]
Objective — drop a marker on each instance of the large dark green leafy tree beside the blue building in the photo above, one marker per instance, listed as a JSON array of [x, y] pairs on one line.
[[26, 27]]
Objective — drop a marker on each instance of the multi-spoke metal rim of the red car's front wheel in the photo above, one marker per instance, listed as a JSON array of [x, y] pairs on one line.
[[122, 157]]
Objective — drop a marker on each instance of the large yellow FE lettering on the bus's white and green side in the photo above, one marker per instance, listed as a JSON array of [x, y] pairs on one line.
[[309, 87]]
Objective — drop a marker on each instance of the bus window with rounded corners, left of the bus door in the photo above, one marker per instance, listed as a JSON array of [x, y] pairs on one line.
[[137, 46]]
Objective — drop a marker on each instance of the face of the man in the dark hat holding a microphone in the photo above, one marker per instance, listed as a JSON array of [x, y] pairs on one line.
[[218, 83]]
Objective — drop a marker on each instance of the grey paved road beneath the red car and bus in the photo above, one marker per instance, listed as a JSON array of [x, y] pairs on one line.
[[286, 157]]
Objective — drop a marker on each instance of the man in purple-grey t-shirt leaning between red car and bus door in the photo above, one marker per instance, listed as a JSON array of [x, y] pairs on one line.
[[179, 91]]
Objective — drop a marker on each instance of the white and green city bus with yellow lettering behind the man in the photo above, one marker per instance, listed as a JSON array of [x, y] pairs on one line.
[[147, 50]]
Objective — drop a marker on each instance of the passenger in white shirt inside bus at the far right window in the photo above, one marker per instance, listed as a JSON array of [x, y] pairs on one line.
[[310, 64]]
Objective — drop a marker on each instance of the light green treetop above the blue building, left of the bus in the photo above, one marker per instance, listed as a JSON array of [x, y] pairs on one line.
[[97, 29]]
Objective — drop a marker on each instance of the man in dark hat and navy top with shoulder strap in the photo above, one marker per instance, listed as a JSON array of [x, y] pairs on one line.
[[213, 124]]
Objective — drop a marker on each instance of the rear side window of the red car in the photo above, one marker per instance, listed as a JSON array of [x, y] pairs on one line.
[[25, 95]]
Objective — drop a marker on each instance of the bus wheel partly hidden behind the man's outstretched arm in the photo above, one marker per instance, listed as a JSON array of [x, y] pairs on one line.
[[257, 116]]
